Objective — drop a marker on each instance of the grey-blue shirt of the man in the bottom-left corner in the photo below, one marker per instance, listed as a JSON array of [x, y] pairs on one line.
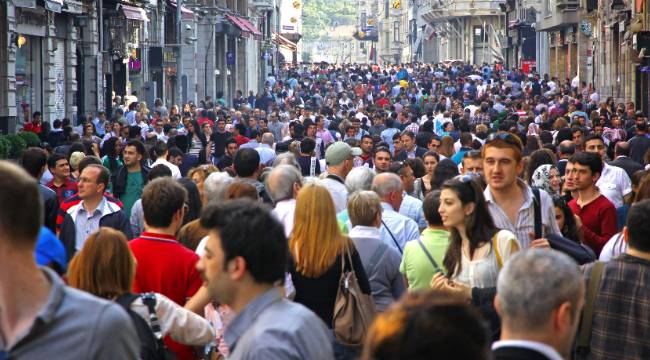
[[76, 325]]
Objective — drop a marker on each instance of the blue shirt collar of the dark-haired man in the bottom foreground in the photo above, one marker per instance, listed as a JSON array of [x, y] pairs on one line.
[[249, 315]]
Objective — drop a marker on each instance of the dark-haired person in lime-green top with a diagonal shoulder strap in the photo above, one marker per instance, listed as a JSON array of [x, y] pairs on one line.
[[423, 258]]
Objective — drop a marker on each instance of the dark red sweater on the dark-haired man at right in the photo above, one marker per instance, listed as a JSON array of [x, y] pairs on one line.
[[598, 221]]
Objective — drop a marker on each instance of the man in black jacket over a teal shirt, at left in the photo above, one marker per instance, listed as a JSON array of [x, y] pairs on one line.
[[129, 180]]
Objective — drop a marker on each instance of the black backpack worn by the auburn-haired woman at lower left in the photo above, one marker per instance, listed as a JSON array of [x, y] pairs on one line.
[[152, 346]]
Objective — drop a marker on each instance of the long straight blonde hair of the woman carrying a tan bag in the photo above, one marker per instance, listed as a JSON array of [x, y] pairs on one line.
[[316, 239]]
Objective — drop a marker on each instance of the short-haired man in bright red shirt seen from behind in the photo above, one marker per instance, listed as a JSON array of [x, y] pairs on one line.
[[163, 264]]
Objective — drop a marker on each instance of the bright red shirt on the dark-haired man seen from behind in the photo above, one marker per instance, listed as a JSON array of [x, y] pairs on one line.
[[167, 267]]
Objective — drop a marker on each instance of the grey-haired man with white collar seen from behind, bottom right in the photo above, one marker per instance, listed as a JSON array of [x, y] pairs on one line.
[[534, 326]]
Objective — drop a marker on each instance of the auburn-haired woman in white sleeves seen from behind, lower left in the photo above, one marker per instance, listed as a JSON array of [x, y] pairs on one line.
[[105, 267]]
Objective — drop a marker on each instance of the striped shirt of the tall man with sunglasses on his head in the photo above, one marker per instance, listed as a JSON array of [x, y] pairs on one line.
[[525, 222]]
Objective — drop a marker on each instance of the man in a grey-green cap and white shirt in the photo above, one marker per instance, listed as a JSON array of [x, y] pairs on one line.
[[340, 160]]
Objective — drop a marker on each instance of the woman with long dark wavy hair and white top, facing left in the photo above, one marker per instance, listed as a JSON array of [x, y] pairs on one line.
[[478, 249]]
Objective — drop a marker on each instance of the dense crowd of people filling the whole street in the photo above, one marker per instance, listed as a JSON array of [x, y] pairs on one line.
[[351, 211]]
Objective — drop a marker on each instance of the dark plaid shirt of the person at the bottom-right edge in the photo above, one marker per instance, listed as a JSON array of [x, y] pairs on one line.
[[621, 322]]
